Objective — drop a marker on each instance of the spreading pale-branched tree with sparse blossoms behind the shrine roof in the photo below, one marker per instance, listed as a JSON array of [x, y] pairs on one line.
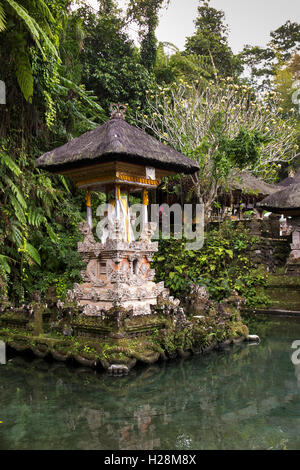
[[223, 126]]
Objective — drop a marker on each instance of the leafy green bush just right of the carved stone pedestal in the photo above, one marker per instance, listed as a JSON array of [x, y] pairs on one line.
[[222, 265]]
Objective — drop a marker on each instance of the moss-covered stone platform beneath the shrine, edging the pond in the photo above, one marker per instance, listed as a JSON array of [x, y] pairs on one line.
[[108, 344]]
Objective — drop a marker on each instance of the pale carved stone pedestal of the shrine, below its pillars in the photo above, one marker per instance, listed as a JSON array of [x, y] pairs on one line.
[[117, 273]]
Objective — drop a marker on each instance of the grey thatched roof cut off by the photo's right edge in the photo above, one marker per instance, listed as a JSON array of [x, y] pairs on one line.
[[287, 199]]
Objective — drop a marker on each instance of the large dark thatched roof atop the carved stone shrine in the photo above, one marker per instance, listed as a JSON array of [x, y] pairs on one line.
[[116, 140]]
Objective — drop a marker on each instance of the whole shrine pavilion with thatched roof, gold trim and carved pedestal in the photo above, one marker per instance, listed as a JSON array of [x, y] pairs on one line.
[[118, 159]]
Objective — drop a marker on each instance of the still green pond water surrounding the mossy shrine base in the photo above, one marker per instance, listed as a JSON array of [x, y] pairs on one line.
[[246, 397]]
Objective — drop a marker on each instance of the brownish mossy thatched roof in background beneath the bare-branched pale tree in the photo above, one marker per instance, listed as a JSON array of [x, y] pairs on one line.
[[249, 184]]
